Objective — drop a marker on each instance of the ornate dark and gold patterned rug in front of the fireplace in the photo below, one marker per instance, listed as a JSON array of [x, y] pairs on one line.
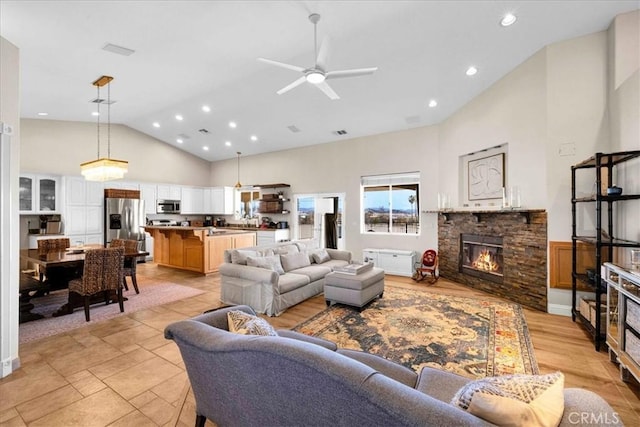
[[471, 337]]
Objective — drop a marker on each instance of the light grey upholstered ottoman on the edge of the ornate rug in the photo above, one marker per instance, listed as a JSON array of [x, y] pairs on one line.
[[354, 289]]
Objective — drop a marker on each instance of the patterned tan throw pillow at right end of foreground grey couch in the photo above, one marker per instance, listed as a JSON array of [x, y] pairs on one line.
[[515, 400]]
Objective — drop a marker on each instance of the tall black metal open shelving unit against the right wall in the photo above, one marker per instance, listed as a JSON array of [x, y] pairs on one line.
[[603, 238]]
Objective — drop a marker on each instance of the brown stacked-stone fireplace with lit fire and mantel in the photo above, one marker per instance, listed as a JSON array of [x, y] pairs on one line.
[[509, 249]]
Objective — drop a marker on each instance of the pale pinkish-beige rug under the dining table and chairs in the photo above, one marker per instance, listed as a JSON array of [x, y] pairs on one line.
[[152, 293]]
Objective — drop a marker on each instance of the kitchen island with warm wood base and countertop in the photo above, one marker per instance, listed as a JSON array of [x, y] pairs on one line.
[[199, 249]]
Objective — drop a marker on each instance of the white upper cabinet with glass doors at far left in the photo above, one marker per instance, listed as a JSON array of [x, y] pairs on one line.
[[39, 194]]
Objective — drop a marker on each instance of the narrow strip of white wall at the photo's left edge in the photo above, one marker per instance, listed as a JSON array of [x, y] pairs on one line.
[[9, 246]]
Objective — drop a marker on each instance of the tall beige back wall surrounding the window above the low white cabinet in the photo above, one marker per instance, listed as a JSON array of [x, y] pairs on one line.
[[337, 167]]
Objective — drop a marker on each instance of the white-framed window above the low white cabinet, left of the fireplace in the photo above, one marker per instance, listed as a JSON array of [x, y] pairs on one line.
[[391, 203]]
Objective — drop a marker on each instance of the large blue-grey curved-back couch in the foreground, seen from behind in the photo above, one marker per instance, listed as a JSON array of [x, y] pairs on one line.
[[293, 380]]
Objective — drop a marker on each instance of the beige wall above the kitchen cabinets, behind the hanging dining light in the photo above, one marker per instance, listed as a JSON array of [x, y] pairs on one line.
[[58, 147]]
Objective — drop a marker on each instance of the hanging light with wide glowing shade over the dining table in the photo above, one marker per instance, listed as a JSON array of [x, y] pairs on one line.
[[105, 168]]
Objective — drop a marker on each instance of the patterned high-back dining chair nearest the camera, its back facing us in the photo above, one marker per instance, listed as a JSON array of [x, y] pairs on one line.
[[102, 273]]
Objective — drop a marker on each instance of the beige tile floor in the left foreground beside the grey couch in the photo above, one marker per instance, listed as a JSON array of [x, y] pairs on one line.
[[121, 372]]
